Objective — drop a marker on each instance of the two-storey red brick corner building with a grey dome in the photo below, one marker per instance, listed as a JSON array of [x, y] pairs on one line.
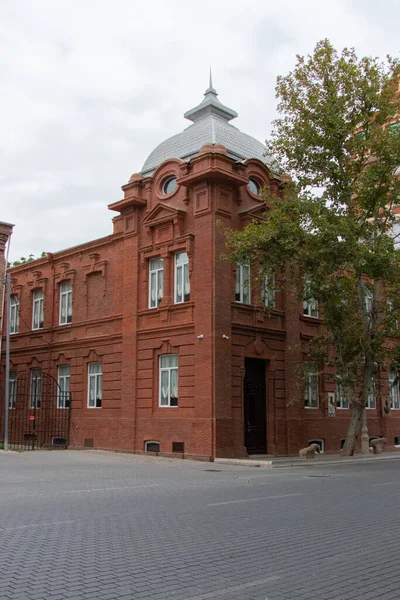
[[164, 345]]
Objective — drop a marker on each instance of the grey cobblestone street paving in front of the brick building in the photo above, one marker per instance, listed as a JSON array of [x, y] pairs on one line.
[[102, 526]]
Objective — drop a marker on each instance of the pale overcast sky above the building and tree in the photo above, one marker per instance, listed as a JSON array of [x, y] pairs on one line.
[[88, 88]]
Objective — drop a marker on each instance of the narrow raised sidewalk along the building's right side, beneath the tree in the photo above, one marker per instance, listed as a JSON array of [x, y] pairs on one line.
[[293, 461]]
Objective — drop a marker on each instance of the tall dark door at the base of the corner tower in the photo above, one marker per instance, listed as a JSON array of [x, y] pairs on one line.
[[255, 406]]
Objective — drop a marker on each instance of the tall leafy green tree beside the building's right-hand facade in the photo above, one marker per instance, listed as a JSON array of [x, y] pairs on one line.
[[333, 227]]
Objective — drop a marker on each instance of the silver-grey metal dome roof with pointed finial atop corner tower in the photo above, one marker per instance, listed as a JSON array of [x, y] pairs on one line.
[[210, 125]]
